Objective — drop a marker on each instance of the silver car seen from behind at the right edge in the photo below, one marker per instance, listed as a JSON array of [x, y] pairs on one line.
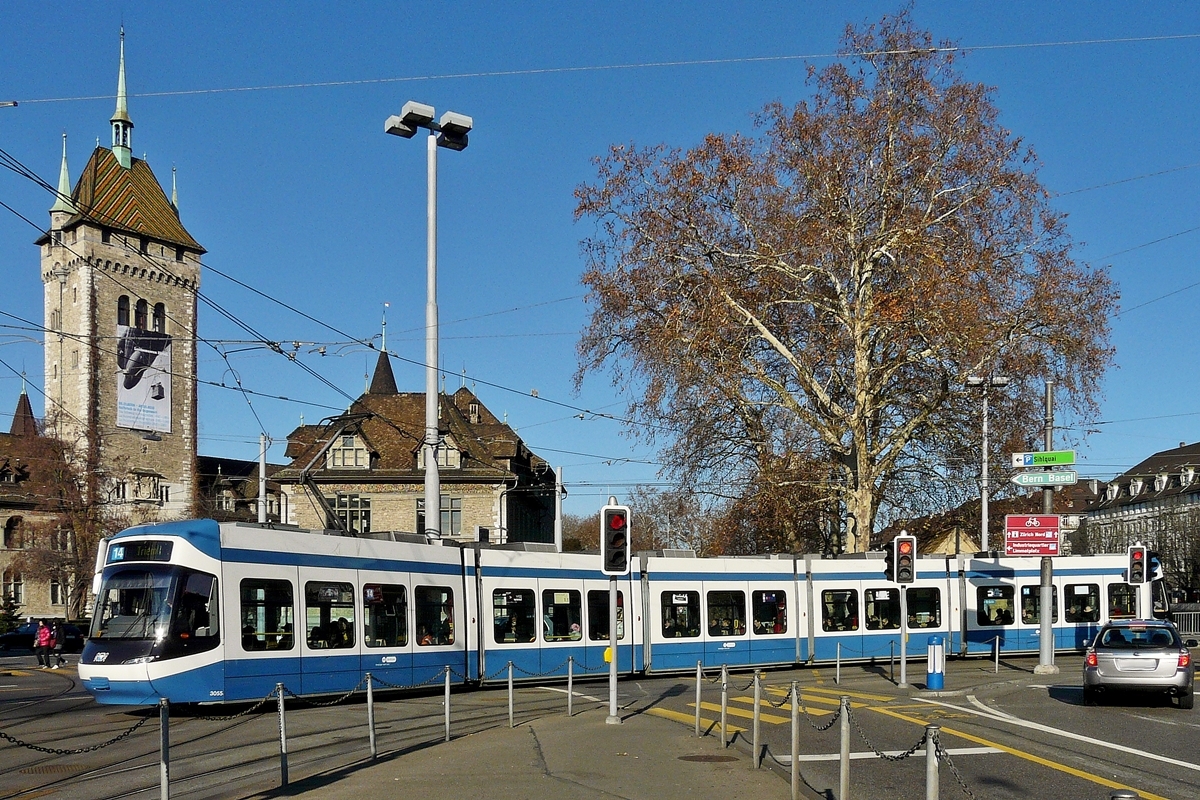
[[1139, 655]]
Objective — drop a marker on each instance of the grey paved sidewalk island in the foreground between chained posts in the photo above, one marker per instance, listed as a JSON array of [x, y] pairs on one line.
[[573, 759]]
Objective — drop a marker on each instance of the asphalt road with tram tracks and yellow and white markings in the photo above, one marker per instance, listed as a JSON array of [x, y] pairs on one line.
[[1012, 735]]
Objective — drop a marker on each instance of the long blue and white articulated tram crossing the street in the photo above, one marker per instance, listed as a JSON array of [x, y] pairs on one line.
[[205, 612]]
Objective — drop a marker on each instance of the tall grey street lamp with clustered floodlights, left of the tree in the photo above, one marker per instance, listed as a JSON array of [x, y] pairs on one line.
[[449, 133]]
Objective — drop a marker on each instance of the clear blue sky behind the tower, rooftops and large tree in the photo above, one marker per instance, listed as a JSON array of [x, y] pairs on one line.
[[299, 194]]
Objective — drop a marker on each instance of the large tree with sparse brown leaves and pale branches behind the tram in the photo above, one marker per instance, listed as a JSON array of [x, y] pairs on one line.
[[801, 308]]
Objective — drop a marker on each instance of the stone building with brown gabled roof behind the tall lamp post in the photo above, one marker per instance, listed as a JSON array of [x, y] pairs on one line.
[[365, 470]]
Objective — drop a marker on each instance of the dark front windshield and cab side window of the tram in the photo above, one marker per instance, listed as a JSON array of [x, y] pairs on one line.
[[153, 603]]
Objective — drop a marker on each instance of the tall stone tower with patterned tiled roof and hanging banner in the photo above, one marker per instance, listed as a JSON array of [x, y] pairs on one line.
[[121, 278]]
